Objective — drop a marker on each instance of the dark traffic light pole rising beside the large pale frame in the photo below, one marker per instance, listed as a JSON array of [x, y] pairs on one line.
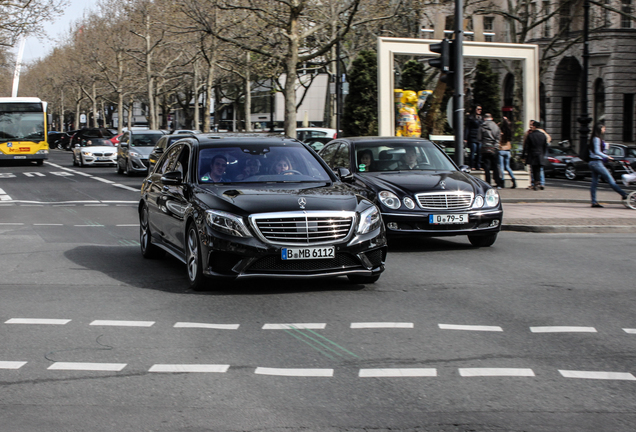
[[458, 76]]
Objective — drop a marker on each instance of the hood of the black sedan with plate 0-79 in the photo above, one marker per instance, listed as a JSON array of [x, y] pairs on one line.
[[411, 183]]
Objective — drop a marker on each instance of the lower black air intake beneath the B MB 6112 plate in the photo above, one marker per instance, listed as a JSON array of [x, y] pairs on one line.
[[272, 263]]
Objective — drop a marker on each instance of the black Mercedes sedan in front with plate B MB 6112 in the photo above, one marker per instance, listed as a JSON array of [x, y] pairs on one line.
[[253, 206]]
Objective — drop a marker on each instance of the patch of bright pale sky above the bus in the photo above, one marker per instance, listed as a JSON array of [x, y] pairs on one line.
[[35, 48]]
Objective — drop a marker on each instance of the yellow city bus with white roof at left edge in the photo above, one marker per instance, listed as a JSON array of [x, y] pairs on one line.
[[23, 129]]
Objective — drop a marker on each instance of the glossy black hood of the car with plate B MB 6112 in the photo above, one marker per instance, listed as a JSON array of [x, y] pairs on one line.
[[278, 198]]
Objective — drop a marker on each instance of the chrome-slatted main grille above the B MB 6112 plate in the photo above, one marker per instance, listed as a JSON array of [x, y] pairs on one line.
[[304, 227]]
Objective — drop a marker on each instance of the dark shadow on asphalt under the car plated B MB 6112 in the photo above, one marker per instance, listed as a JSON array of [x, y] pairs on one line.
[[168, 274]]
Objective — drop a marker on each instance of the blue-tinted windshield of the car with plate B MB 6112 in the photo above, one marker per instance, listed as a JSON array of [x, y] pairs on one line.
[[257, 163]]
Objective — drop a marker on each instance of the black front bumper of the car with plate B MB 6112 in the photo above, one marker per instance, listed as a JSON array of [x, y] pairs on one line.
[[234, 258]]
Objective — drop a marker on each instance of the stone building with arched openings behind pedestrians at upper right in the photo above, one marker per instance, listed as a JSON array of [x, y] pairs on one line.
[[557, 27]]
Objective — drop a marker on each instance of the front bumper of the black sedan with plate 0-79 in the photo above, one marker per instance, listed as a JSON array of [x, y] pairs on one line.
[[417, 223]]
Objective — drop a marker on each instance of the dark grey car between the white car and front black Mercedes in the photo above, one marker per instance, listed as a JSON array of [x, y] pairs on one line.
[[134, 149]]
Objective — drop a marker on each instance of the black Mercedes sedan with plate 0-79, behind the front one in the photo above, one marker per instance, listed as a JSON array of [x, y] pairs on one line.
[[418, 188]]
